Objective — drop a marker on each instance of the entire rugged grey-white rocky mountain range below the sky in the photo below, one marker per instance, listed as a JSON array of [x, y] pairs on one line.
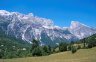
[[28, 27]]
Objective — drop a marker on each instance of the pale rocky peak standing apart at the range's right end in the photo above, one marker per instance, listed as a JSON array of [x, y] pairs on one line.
[[80, 30]]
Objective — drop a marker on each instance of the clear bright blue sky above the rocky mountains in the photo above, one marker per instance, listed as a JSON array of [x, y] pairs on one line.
[[62, 12]]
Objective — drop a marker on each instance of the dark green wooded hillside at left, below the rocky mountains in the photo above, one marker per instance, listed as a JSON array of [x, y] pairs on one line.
[[12, 47]]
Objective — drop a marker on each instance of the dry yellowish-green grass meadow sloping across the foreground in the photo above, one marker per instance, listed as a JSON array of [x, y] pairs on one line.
[[82, 55]]
